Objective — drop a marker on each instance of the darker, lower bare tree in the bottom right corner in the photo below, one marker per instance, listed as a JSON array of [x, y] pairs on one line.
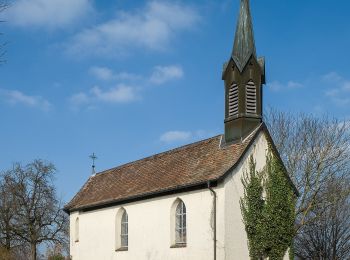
[[329, 236]]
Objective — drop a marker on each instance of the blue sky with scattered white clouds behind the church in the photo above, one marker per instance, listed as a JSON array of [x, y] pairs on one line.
[[127, 79]]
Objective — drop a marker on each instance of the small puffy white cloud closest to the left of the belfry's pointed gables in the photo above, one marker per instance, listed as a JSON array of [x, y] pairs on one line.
[[162, 74]]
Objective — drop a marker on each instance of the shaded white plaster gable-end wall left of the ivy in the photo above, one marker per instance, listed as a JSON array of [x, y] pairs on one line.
[[236, 244]]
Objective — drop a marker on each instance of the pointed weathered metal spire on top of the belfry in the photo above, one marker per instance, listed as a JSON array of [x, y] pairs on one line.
[[244, 45]]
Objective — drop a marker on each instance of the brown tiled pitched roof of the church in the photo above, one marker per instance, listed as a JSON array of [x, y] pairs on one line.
[[187, 166]]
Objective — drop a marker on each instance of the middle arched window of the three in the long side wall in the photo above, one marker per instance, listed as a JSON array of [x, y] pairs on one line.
[[121, 230]]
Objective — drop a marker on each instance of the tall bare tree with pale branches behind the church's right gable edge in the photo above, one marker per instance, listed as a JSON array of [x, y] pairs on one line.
[[314, 150]]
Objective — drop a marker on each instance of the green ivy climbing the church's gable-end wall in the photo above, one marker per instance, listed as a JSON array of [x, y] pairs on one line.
[[268, 210]]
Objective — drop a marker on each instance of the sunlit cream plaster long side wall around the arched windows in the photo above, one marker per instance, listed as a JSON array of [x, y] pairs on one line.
[[149, 230]]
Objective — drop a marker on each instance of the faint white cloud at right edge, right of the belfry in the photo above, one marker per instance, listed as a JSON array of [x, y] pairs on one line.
[[339, 92]]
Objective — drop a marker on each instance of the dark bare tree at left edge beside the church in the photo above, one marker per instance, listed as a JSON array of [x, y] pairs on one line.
[[39, 216]]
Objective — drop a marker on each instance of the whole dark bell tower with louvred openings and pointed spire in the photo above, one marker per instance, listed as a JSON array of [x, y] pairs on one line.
[[244, 76]]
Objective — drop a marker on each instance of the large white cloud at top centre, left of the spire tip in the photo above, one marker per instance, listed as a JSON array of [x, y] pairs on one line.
[[151, 28]]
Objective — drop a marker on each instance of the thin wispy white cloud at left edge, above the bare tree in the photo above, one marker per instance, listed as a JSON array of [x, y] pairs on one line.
[[16, 97]]
